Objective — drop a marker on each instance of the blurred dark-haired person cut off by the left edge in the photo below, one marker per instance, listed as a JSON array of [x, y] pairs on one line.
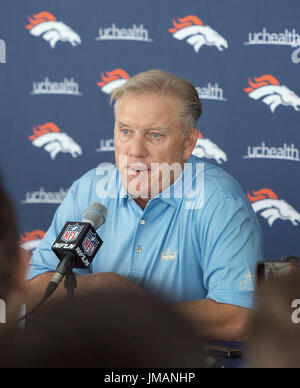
[[13, 264]]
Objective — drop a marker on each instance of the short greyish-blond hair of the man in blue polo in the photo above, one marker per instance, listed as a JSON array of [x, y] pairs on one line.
[[157, 81]]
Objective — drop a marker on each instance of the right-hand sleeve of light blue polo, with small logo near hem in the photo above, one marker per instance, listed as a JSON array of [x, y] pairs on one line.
[[232, 243]]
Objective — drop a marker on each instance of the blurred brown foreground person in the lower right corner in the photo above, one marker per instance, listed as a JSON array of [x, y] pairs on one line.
[[274, 328]]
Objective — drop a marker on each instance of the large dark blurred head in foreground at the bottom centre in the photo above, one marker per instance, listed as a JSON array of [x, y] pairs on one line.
[[104, 330]]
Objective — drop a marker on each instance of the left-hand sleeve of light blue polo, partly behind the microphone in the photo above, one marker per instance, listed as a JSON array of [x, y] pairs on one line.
[[43, 259]]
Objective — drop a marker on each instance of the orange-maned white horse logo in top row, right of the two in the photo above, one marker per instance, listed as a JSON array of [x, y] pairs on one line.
[[197, 34]]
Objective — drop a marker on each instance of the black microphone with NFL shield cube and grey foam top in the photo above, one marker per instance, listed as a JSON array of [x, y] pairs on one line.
[[77, 244]]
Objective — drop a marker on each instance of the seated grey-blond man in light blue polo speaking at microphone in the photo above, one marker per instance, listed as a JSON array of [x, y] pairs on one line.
[[195, 248]]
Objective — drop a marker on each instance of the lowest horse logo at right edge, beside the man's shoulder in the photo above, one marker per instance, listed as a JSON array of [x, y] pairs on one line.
[[272, 208]]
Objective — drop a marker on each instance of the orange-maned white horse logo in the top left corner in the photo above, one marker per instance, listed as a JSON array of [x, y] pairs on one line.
[[46, 25]]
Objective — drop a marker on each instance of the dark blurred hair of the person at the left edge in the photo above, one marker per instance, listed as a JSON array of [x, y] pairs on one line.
[[8, 243]]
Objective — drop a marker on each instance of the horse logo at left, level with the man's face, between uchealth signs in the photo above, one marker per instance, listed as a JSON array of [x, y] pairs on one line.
[[53, 141]]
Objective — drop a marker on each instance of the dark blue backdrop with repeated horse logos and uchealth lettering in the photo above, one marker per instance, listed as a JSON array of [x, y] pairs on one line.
[[61, 59]]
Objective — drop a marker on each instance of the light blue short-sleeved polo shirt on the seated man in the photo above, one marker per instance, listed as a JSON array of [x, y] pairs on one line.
[[182, 247]]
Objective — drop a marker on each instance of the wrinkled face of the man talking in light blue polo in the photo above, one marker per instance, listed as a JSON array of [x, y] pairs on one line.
[[149, 147]]
